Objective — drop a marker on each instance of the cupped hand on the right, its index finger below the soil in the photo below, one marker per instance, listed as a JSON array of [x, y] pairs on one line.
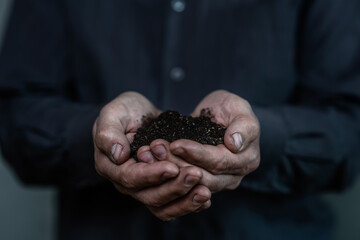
[[240, 153]]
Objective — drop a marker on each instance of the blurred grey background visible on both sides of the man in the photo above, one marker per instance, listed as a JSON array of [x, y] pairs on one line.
[[29, 212]]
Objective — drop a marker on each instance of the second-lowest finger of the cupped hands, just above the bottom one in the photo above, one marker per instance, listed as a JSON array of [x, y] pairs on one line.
[[170, 190]]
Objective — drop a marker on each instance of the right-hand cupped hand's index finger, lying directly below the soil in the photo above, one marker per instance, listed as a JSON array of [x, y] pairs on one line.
[[217, 160]]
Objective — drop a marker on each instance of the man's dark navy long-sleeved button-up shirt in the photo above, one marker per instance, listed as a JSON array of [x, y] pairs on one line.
[[296, 61]]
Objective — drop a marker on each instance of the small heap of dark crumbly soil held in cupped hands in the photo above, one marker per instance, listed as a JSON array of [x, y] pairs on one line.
[[171, 126]]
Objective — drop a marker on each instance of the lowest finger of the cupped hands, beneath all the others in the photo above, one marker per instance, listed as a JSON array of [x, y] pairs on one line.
[[198, 199]]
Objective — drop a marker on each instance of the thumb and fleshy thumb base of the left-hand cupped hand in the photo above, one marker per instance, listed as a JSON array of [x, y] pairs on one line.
[[117, 123]]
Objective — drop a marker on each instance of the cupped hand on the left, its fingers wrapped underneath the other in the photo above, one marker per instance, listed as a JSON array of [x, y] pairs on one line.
[[165, 189]]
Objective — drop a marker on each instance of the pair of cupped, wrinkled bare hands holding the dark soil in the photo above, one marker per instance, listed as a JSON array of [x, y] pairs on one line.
[[192, 172]]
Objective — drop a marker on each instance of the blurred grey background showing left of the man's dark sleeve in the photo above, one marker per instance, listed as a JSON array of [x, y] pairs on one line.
[[26, 213]]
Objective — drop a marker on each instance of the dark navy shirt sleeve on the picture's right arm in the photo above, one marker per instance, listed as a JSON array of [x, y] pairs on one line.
[[312, 144]]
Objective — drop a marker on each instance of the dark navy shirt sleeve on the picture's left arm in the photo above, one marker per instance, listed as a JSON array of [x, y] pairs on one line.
[[45, 132]]
